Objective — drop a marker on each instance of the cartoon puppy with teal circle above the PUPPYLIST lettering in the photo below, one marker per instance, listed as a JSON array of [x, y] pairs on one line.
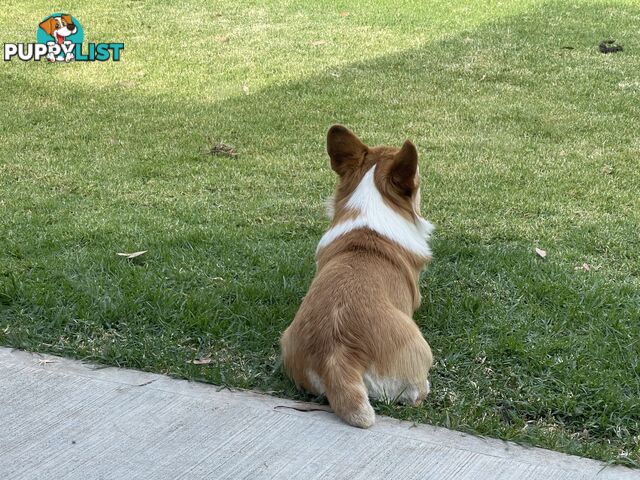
[[63, 30]]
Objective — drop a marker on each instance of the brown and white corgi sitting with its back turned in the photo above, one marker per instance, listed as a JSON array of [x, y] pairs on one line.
[[353, 336]]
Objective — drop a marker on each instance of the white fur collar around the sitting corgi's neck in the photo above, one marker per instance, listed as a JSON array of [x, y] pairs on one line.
[[376, 215]]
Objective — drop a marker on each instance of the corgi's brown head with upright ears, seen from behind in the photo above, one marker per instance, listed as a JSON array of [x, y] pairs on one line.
[[396, 175]]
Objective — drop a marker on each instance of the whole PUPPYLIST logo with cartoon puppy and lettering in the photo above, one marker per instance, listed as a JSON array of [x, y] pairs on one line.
[[59, 39]]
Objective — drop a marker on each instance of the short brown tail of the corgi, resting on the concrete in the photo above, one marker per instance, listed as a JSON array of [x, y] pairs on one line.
[[346, 391]]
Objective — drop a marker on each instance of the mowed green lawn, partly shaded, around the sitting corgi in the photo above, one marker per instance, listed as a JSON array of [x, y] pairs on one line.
[[524, 144]]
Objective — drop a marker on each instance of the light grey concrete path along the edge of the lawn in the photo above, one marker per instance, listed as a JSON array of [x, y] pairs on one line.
[[61, 419]]
